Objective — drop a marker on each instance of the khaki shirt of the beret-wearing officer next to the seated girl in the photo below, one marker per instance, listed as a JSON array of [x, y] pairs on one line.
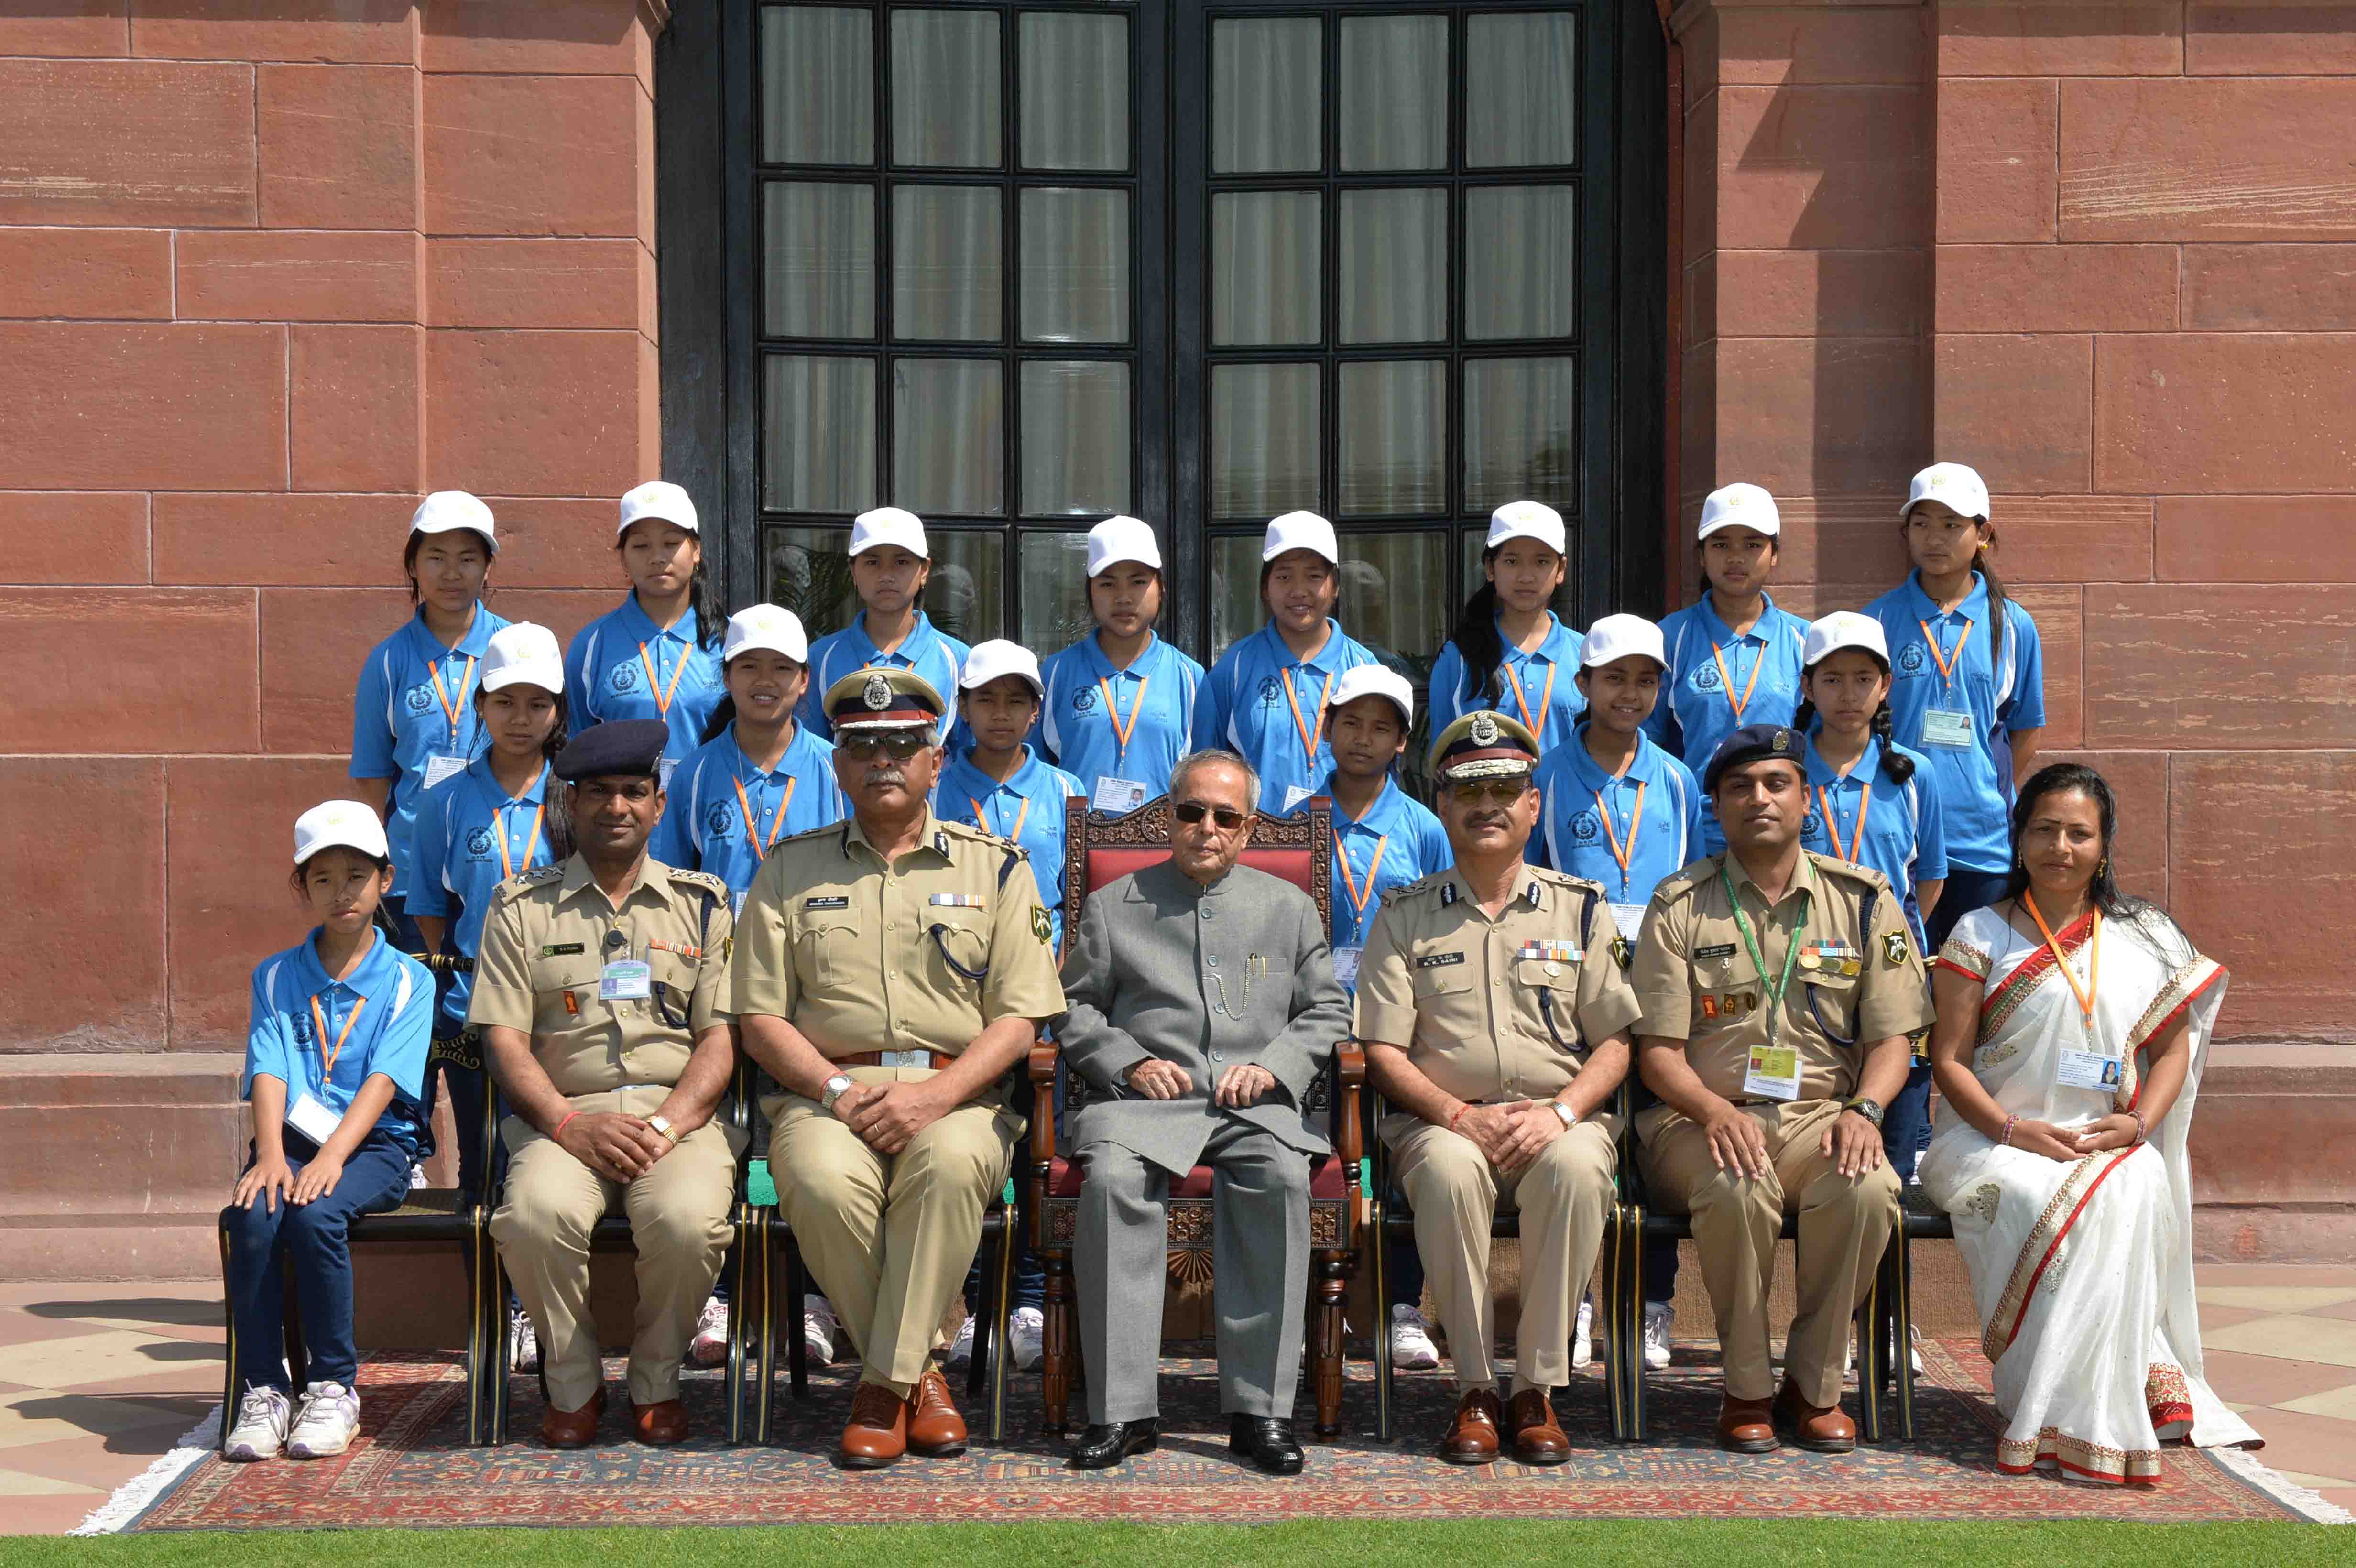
[[545, 945]]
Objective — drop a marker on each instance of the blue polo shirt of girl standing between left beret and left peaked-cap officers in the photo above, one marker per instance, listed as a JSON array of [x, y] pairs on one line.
[[703, 825]]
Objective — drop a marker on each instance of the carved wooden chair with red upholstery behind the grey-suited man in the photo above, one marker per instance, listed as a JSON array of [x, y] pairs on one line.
[[1101, 849]]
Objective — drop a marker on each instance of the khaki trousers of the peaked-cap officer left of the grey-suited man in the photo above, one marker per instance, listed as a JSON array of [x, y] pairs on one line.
[[889, 1235]]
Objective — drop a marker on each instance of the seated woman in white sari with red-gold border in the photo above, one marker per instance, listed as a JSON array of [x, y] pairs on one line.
[[2072, 1035]]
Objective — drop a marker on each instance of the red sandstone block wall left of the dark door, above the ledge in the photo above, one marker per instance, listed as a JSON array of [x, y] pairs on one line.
[[270, 270]]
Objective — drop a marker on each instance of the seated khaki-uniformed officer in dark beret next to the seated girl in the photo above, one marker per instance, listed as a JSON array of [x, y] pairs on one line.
[[602, 992]]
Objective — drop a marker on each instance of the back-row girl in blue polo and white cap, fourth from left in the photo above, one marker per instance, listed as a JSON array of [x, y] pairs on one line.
[[1120, 700]]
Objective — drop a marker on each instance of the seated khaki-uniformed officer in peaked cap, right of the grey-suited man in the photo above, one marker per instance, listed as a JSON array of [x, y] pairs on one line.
[[1495, 1018]]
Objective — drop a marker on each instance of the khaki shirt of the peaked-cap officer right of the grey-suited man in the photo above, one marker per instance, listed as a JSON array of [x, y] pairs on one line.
[[1495, 1009]]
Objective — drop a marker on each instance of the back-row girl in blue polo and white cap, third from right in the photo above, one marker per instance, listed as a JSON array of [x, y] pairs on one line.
[[1511, 651]]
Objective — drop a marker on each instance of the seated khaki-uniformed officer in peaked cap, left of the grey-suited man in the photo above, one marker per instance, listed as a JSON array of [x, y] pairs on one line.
[[892, 971]]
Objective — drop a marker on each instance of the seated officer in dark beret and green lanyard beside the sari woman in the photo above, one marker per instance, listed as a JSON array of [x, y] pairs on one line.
[[1778, 990]]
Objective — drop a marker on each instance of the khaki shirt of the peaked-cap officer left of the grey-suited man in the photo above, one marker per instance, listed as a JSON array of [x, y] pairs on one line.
[[913, 955]]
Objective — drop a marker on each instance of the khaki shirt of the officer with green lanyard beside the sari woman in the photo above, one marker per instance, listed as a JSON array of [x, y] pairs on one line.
[[1848, 990]]
